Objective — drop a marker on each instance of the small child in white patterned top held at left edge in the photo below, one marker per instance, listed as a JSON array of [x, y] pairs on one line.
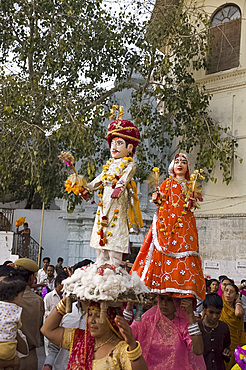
[[11, 291]]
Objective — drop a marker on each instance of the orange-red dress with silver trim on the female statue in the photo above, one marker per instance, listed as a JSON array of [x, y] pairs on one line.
[[168, 261]]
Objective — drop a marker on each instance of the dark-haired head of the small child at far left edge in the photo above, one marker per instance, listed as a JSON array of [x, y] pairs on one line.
[[12, 289]]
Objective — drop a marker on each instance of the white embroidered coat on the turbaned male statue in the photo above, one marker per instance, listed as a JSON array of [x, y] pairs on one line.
[[116, 209]]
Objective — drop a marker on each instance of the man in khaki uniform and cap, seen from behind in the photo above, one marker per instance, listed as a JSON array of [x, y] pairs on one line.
[[32, 313]]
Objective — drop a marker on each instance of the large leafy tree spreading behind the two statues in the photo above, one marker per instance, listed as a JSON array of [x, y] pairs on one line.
[[59, 59]]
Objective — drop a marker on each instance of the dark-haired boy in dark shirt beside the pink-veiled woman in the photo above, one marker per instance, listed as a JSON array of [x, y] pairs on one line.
[[215, 333]]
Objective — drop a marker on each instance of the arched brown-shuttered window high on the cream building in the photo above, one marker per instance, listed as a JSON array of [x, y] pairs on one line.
[[225, 35]]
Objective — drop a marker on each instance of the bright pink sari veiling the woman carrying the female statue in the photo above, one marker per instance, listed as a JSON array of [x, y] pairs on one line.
[[166, 345]]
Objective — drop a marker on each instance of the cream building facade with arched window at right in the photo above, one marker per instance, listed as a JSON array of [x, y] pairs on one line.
[[222, 217]]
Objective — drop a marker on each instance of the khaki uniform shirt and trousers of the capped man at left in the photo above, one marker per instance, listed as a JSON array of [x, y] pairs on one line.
[[31, 317]]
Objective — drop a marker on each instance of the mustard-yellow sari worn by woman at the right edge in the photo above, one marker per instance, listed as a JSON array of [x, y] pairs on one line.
[[236, 327]]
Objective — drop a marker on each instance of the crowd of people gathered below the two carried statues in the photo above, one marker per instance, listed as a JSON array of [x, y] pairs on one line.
[[171, 333]]
